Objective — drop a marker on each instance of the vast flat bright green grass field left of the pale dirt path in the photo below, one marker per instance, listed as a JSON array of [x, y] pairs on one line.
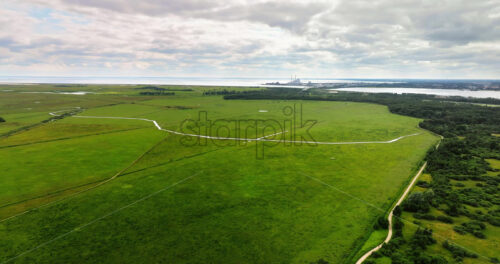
[[120, 190]]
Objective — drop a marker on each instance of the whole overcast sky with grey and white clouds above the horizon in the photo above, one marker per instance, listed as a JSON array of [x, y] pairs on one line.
[[240, 38]]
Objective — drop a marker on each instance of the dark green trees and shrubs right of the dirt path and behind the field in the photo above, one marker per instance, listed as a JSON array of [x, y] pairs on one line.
[[460, 202]]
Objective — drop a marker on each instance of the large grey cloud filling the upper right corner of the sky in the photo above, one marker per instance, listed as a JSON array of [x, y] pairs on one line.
[[454, 22]]
